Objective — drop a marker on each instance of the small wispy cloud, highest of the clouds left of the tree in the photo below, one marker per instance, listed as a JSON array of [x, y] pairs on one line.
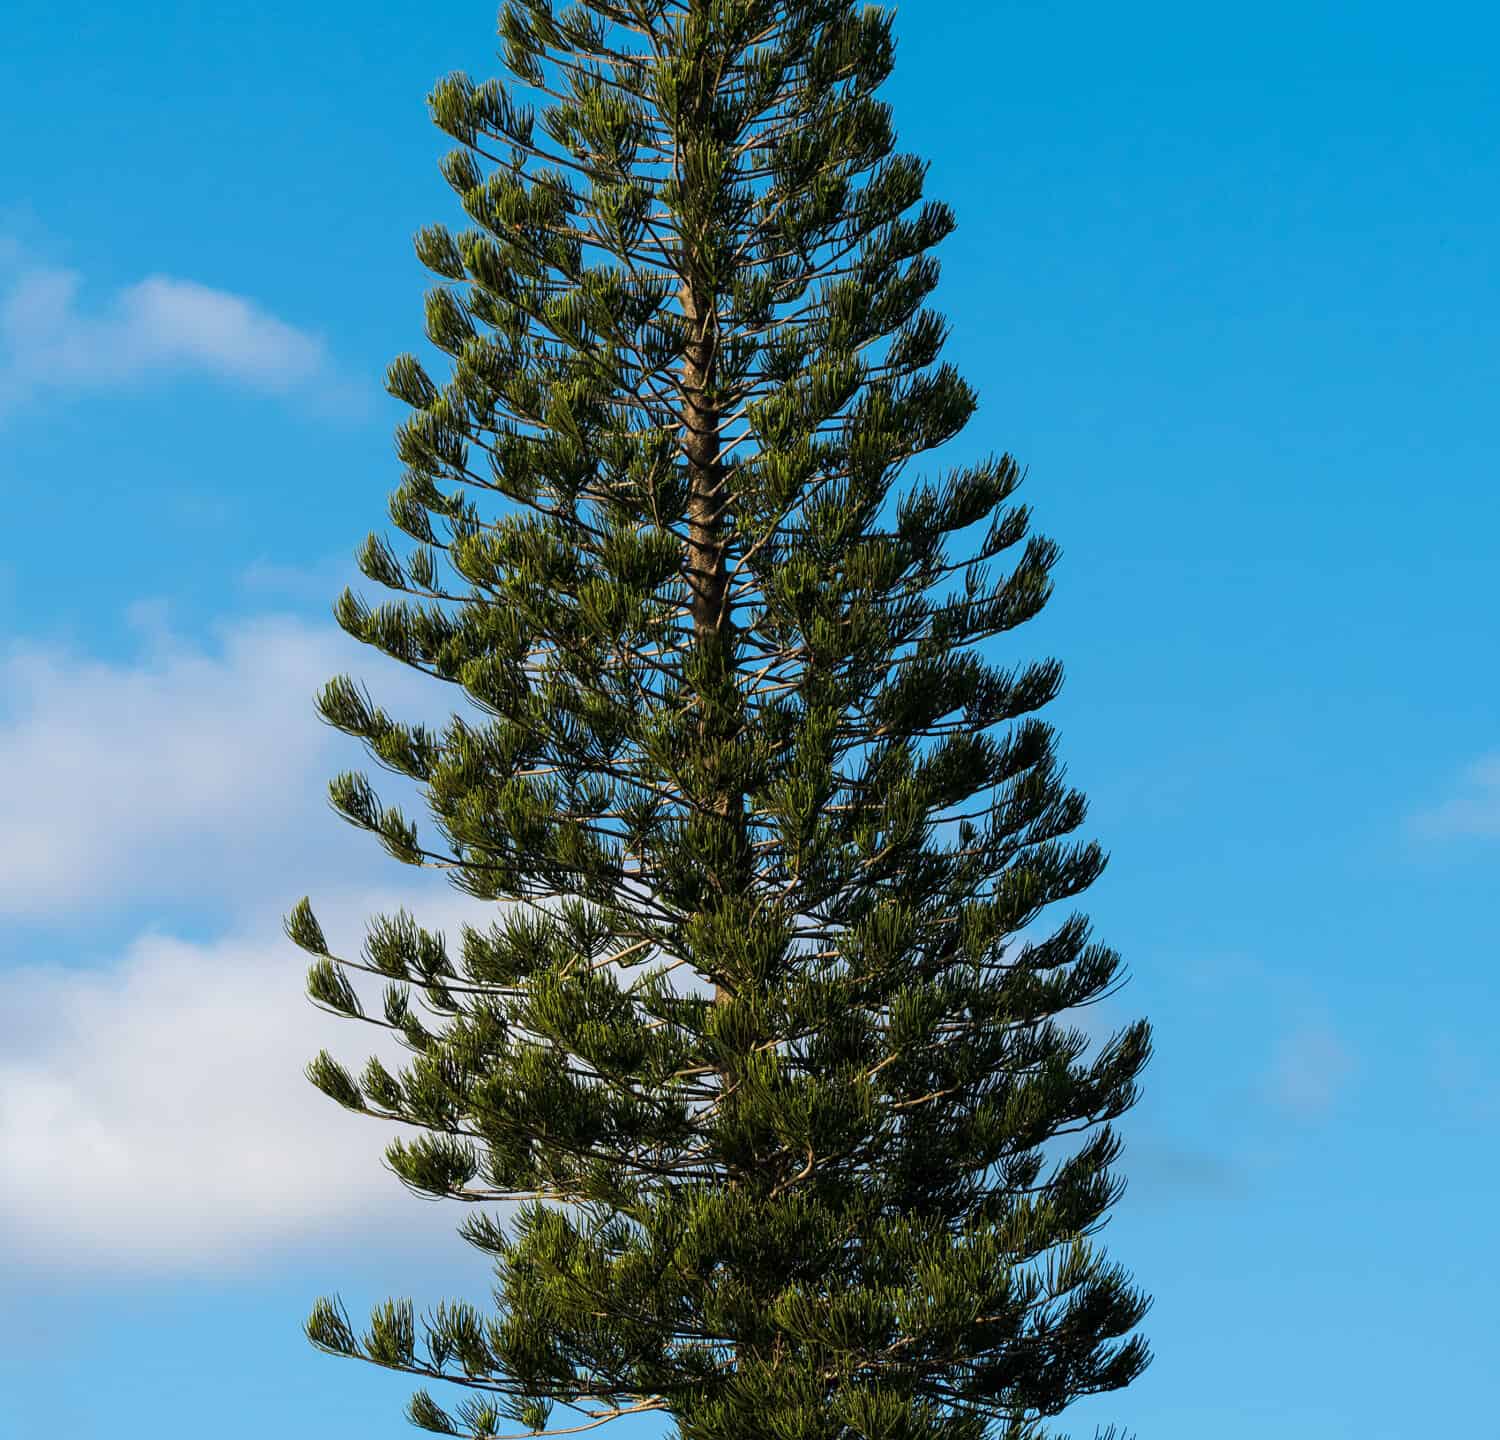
[[163, 325]]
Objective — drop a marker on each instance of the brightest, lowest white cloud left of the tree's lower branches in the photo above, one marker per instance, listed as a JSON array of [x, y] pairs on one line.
[[155, 1114]]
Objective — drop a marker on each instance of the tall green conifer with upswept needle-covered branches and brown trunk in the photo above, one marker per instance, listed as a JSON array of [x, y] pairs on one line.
[[757, 1064]]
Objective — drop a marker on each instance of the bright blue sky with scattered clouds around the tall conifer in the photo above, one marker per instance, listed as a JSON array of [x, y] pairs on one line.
[[1225, 280]]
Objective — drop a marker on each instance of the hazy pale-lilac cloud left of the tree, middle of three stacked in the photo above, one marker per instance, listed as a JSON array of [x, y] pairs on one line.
[[164, 778]]
